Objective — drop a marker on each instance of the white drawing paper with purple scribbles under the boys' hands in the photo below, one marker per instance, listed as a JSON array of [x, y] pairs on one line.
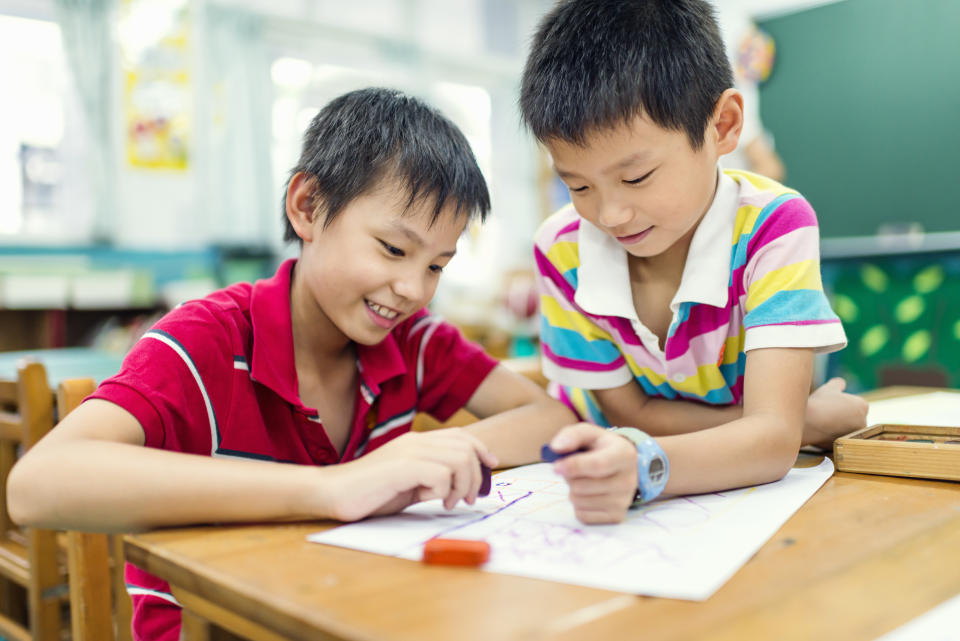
[[681, 547]]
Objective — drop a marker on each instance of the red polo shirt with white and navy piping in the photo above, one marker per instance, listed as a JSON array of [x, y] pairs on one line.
[[216, 376]]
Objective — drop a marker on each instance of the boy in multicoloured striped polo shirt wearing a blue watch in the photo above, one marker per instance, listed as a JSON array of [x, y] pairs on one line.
[[675, 297]]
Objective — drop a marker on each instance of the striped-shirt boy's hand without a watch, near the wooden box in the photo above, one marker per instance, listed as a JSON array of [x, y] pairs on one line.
[[831, 413]]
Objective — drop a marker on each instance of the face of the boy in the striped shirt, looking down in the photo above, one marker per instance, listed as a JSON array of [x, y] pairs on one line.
[[645, 185]]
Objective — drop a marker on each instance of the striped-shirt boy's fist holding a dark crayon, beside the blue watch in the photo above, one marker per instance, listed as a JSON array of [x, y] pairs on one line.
[[603, 480]]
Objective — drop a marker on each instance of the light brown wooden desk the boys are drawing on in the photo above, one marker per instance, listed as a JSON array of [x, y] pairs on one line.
[[863, 556]]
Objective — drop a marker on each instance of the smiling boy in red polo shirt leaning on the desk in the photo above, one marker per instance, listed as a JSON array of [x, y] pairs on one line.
[[324, 365]]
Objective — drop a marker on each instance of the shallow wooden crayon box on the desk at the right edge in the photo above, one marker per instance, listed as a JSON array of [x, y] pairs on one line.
[[921, 451]]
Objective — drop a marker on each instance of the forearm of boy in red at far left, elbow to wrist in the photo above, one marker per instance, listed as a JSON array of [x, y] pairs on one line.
[[109, 486]]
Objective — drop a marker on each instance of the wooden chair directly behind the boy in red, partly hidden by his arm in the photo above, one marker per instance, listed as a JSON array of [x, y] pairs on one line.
[[100, 607]]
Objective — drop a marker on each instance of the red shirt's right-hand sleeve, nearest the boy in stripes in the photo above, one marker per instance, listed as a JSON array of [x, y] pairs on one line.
[[449, 368]]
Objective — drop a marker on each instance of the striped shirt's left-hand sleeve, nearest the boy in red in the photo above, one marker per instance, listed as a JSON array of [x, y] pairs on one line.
[[576, 350]]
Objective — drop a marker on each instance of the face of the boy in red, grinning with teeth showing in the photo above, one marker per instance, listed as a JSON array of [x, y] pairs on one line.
[[373, 266]]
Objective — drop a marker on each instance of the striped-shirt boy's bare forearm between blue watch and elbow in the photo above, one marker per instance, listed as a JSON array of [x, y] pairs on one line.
[[747, 451]]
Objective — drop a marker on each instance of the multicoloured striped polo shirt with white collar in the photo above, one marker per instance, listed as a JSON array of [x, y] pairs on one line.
[[751, 281]]
